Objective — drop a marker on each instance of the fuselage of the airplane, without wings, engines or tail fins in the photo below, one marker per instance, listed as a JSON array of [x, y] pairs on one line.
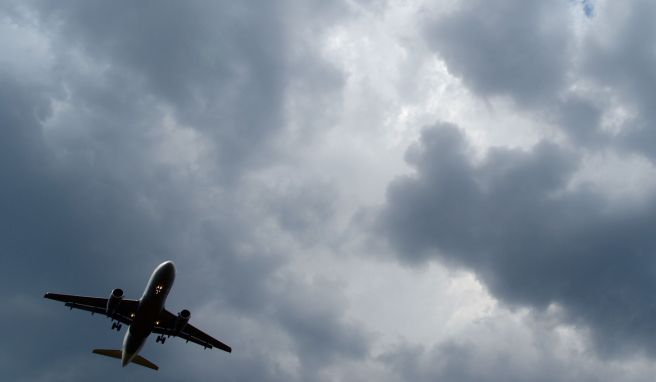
[[151, 305]]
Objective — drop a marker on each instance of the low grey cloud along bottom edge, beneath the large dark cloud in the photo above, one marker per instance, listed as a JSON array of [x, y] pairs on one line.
[[507, 350]]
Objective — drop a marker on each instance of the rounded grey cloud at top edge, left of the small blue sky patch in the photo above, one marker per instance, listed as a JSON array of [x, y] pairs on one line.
[[524, 50]]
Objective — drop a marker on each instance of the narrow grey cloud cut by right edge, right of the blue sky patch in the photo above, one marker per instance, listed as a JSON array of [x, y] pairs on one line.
[[620, 60]]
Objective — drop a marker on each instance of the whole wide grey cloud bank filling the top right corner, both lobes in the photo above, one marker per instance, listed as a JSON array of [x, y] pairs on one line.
[[529, 51]]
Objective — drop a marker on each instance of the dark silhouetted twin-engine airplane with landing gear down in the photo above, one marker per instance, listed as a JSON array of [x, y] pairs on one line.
[[144, 316]]
